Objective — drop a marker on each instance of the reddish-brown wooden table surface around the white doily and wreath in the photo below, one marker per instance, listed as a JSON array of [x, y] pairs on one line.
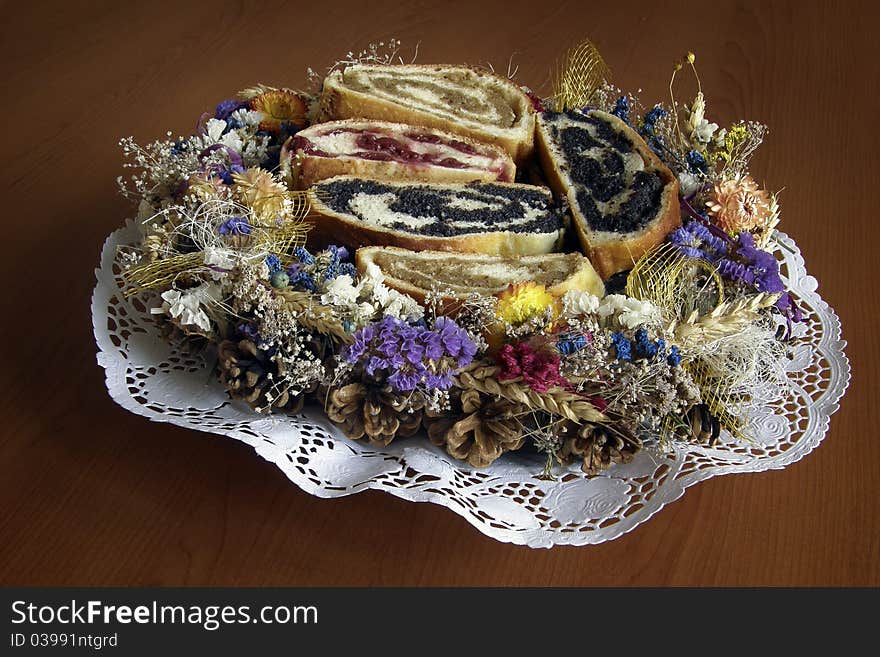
[[91, 494]]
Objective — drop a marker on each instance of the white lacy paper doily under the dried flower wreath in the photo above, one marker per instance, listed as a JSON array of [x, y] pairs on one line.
[[165, 383]]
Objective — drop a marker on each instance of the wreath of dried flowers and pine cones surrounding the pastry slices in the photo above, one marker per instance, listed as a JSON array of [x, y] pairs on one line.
[[693, 339]]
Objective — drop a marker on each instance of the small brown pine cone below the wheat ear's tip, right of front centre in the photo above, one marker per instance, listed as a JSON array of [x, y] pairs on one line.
[[598, 446]]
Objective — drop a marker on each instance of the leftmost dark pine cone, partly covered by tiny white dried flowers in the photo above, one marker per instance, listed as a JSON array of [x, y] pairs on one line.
[[252, 375]]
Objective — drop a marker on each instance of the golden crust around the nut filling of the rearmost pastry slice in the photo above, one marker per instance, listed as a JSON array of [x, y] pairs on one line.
[[338, 101]]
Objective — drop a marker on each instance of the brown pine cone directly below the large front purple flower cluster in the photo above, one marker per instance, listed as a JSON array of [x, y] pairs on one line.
[[375, 411]]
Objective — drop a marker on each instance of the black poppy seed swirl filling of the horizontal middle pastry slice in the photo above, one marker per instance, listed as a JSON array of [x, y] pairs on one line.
[[440, 211]]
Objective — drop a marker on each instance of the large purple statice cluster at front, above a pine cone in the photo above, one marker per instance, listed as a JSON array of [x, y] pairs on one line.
[[408, 356]]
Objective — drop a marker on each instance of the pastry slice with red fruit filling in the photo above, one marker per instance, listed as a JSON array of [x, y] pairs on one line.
[[383, 150]]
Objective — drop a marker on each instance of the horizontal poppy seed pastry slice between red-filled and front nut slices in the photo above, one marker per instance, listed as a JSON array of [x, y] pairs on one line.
[[490, 218]]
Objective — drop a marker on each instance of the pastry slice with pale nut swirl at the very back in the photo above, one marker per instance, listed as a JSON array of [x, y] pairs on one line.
[[460, 99]]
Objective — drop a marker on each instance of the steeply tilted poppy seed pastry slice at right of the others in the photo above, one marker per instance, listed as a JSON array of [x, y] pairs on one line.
[[623, 199]]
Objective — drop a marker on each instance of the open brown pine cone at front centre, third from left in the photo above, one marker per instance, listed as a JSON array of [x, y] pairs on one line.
[[483, 430]]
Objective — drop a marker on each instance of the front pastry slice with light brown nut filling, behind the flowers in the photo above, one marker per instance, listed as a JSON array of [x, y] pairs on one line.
[[460, 274]]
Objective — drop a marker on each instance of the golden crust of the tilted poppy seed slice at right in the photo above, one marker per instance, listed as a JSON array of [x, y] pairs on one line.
[[611, 253]]
